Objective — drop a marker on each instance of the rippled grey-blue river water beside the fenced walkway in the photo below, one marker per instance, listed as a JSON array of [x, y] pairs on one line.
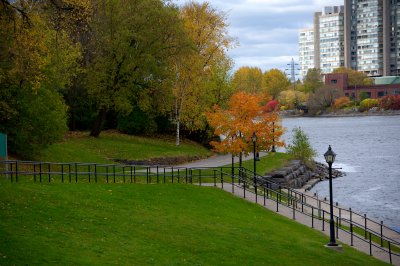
[[368, 150]]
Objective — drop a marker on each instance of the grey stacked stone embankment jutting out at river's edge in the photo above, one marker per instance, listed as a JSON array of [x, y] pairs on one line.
[[297, 175]]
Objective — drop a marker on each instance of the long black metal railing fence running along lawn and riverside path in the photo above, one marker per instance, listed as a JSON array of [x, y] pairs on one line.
[[358, 226]]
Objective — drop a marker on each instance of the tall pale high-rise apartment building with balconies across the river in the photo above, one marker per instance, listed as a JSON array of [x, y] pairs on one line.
[[362, 34]]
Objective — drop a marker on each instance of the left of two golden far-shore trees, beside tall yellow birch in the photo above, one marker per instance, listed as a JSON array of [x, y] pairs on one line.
[[248, 79]]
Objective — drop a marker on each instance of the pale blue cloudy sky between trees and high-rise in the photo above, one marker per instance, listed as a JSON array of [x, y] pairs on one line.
[[267, 30]]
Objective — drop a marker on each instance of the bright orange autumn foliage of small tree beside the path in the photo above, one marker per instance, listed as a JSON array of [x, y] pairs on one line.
[[245, 114]]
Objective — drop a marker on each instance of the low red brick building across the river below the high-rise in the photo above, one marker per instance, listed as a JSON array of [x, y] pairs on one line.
[[384, 86]]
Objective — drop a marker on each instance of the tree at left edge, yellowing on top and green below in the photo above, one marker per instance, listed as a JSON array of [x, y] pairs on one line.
[[37, 63]]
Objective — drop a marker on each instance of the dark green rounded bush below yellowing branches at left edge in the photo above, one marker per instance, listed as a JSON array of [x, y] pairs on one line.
[[39, 119]]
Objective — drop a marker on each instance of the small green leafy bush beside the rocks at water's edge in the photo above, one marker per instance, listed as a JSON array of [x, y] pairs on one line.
[[301, 148]]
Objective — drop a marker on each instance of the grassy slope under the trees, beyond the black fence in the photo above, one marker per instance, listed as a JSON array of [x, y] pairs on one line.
[[110, 145]]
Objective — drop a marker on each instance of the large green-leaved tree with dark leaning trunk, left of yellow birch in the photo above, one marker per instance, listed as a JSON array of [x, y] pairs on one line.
[[132, 45]]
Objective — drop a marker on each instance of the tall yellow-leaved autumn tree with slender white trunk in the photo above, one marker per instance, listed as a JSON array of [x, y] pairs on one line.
[[197, 70]]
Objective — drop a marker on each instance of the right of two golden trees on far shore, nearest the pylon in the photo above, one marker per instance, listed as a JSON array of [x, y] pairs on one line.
[[275, 81]]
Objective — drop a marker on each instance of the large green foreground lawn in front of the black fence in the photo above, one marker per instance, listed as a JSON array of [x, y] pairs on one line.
[[90, 224]]
